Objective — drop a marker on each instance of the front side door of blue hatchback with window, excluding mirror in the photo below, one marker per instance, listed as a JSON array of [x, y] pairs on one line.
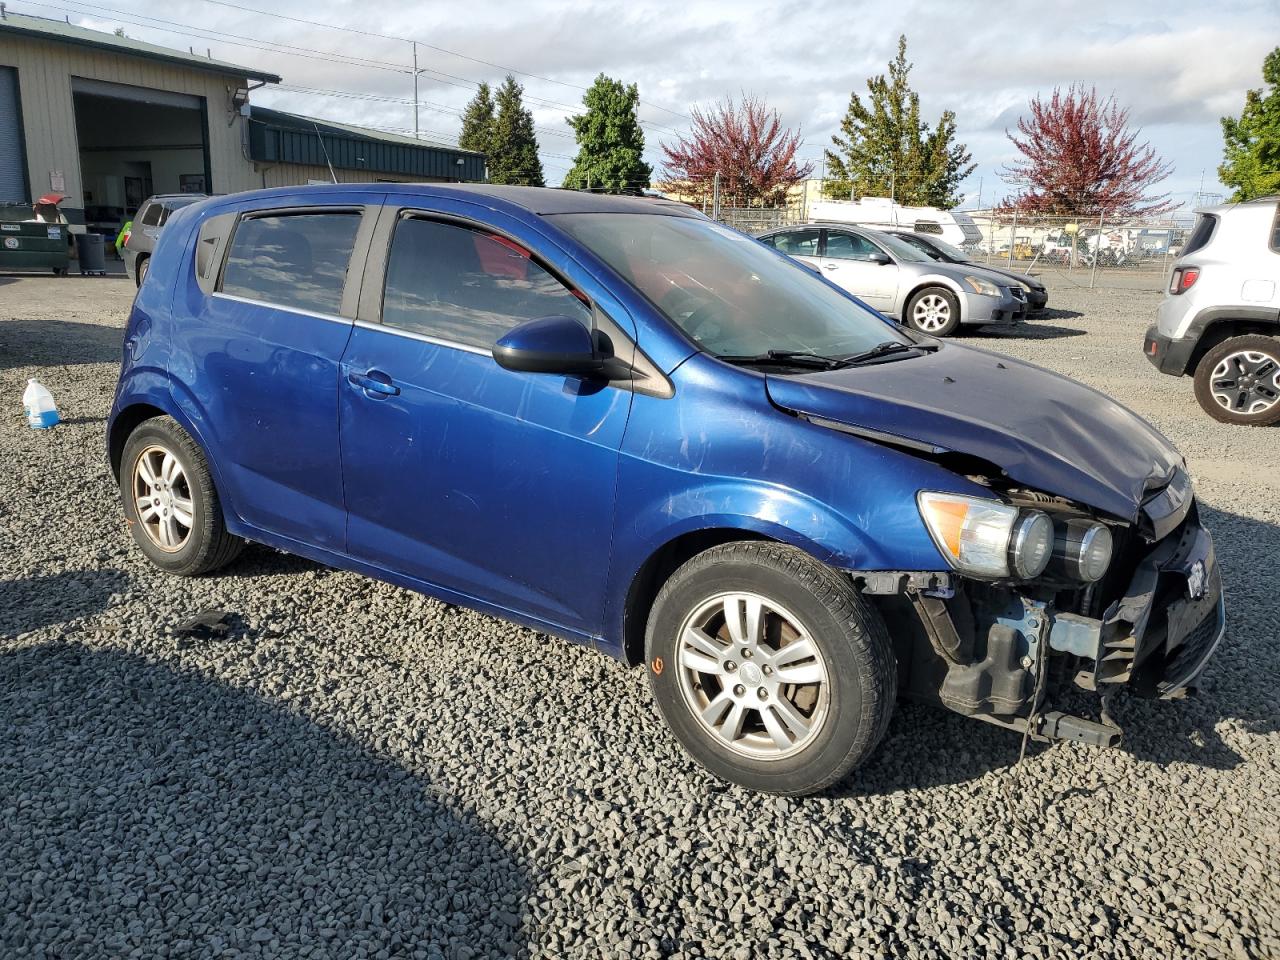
[[493, 484]]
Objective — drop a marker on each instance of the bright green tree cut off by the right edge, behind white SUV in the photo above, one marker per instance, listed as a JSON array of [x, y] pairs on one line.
[[1251, 149]]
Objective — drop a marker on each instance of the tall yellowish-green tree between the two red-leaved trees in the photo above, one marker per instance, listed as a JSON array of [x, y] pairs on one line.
[[886, 150]]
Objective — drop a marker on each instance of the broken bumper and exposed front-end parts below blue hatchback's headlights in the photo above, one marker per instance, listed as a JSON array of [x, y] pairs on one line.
[[995, 648]]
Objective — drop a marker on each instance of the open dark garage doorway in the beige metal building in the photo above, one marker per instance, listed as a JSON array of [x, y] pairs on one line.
[[135, 143]]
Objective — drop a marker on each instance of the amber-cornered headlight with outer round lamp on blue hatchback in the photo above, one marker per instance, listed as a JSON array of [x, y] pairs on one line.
[[988, 538]]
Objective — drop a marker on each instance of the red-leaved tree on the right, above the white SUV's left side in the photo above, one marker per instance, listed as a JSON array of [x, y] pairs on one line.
[[1081, 159]]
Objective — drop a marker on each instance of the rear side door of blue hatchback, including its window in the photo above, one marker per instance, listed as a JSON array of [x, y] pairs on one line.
[[264, 350]]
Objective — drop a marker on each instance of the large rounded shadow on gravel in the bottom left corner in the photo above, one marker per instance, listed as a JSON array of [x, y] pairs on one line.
[[153, 811]]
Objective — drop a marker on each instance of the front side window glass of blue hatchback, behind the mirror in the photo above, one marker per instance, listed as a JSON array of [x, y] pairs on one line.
[[468, 286]]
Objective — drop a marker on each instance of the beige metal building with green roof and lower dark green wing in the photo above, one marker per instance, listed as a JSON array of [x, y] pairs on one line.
[[108, 121]]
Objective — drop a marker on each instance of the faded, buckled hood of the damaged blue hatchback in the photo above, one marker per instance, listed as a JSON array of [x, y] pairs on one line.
[[1044, 431]]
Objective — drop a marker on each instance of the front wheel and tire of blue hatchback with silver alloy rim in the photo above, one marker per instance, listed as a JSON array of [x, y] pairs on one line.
[[770, 669]]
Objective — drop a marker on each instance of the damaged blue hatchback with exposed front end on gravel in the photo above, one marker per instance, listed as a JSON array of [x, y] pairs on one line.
[[618, 422]]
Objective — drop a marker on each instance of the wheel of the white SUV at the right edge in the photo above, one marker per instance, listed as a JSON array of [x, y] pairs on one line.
[[1238, 382]]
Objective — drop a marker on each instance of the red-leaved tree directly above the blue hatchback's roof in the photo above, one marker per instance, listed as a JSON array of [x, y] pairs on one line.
[[747, 144]]
